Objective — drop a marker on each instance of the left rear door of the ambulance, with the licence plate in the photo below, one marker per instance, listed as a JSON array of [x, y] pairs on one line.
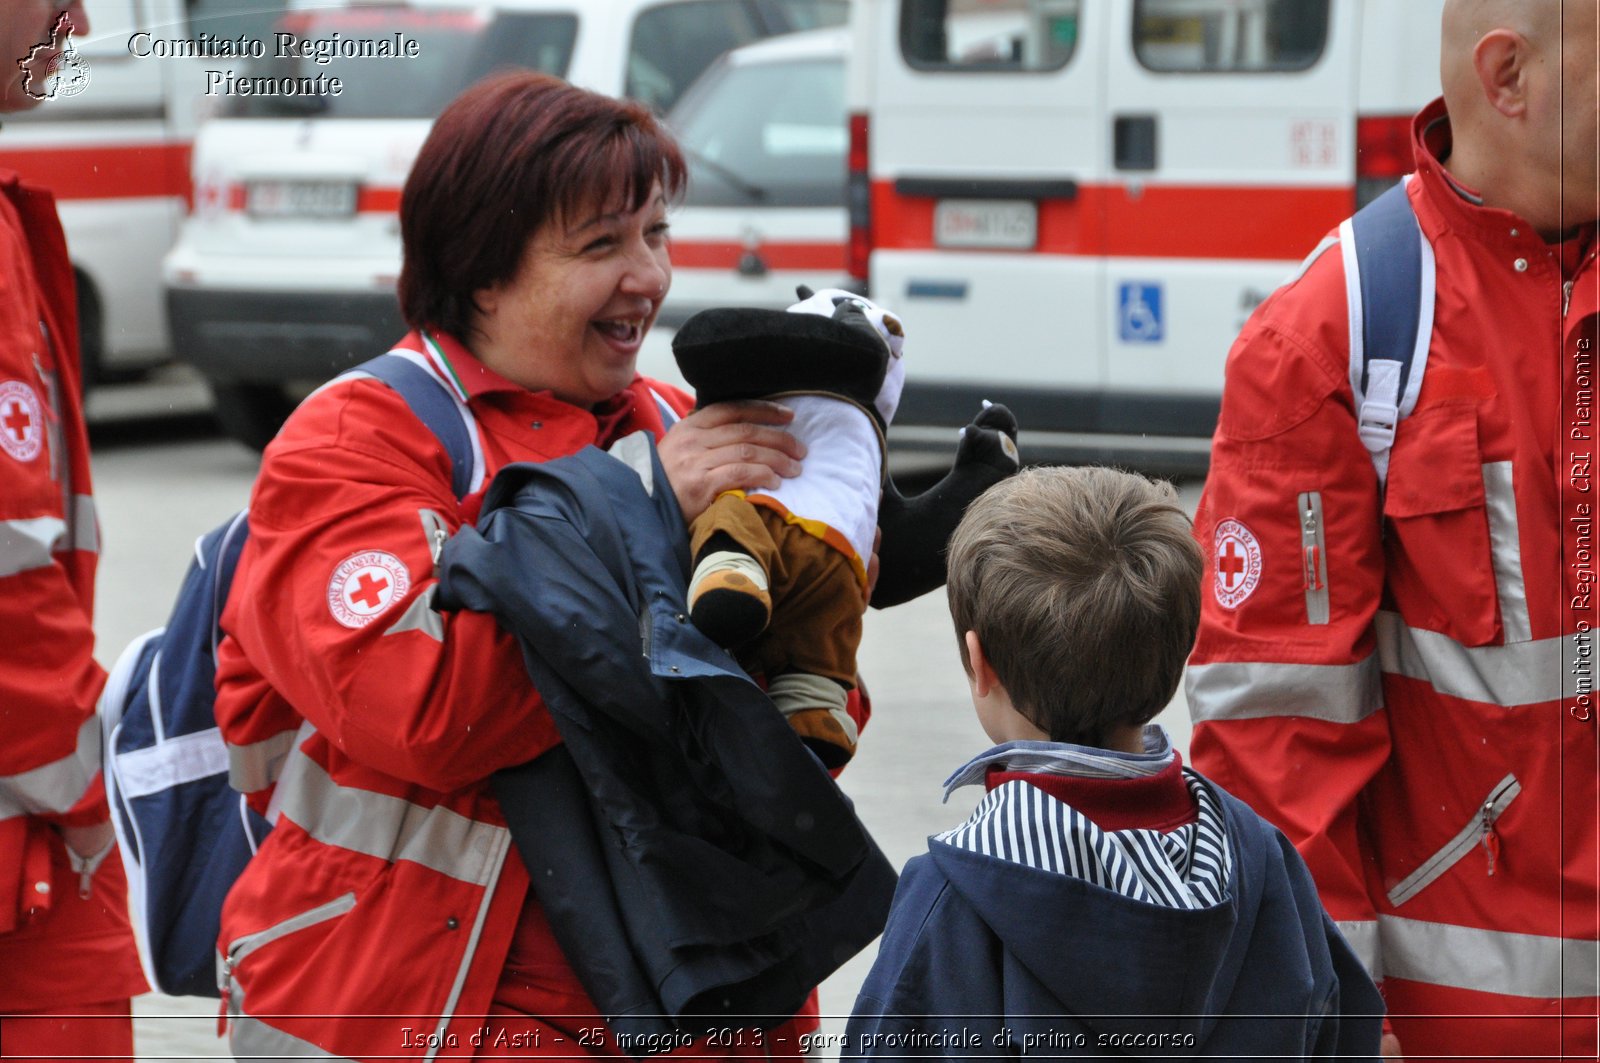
[[986, 132]]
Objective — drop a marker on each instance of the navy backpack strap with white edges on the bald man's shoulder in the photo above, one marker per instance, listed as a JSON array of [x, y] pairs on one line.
[[1390, 289]]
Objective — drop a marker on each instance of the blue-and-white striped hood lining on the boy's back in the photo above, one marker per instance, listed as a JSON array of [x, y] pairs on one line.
[[1188, 868]]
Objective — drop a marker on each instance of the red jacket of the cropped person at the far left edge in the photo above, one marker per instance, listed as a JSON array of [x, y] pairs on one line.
[[71, 949]]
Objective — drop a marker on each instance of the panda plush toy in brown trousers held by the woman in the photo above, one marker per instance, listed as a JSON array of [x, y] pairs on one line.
[[780, 576]]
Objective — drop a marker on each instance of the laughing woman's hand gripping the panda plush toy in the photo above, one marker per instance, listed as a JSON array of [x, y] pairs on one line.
[[729, 446]]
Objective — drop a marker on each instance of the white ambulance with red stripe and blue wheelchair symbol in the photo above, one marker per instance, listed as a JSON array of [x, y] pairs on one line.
[[1076, 204]]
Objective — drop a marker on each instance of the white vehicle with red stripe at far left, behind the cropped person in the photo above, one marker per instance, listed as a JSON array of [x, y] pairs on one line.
[[114, 150]]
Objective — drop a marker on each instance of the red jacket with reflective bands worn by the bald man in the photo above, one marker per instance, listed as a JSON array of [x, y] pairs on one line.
[[1404, 684]]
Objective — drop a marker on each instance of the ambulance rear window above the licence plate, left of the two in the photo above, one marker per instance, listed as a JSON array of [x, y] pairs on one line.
[[990, 34]]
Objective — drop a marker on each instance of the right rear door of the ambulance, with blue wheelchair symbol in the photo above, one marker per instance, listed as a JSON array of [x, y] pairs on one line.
[[1233, 153]]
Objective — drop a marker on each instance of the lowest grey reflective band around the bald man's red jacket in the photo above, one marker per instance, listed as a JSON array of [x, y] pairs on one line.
[[1489, 961]]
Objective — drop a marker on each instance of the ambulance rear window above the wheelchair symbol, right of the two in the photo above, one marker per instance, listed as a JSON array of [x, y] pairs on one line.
[[1230, 36]]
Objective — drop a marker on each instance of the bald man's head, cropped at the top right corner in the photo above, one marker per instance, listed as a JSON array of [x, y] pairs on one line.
[[1521, 86]]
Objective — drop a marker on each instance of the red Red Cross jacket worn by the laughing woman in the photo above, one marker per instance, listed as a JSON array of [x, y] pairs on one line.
[[390, 886]]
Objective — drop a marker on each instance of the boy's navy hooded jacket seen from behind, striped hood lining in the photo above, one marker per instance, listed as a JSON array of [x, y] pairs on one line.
[[990, 957]]
